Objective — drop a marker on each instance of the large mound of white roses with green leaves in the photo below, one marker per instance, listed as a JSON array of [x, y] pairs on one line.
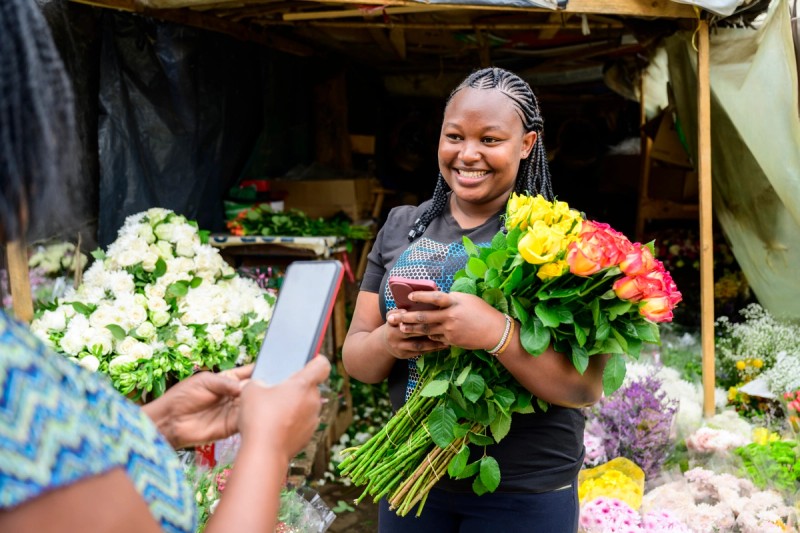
[[159, 304]]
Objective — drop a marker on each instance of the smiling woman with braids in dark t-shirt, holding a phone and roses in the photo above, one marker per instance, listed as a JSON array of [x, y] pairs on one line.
[[490, 146]]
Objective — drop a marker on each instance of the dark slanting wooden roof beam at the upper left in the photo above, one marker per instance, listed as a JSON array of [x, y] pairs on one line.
[[196, 19]]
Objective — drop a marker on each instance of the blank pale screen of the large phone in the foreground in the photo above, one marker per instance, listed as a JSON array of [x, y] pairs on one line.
[[299, 319]]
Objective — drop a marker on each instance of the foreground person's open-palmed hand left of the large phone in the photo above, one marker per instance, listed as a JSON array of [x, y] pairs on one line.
[[199, 409]]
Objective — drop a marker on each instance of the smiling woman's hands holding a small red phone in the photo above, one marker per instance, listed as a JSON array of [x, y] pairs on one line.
[[462, 320]]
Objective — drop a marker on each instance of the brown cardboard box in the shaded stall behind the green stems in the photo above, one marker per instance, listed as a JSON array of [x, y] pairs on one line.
[[325, 198]]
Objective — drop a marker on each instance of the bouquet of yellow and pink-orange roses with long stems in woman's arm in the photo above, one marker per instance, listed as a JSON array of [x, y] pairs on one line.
[[573, 284]]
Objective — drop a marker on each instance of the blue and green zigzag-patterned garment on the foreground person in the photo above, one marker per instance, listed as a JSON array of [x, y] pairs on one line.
[[60, 423]]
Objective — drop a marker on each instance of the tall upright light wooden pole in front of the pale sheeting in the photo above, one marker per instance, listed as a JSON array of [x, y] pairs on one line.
[[706, 220]]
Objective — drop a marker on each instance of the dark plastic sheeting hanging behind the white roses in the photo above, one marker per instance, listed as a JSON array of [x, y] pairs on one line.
[[177, 119]]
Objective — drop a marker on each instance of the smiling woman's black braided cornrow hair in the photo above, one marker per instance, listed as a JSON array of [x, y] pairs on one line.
[[534, 174]]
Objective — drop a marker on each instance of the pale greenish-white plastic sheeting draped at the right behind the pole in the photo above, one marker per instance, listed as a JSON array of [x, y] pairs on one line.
[[755, 148]]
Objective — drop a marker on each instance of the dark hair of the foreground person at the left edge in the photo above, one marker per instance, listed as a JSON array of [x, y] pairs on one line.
[[38, 144]]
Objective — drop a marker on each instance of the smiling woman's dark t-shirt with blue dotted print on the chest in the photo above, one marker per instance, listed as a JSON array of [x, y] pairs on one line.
[[543, 451]]
